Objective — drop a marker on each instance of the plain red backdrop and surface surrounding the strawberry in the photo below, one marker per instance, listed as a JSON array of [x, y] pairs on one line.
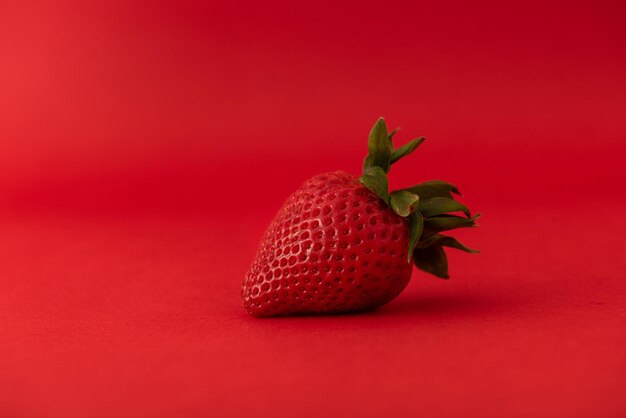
[[144, 147]]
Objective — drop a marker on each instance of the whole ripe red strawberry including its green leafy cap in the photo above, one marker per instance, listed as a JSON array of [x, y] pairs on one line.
[[343, 243]]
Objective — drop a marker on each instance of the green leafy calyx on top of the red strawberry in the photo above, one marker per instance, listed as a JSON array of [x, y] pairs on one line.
[[428, 206]]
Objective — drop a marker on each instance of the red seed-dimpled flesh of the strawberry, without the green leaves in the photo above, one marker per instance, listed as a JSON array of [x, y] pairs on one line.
[[333, 247]]
